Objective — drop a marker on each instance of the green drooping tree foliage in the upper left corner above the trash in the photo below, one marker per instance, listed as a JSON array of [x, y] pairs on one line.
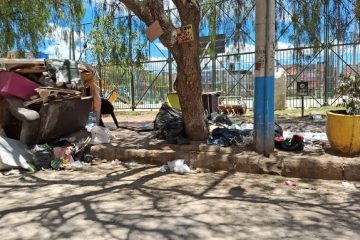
[[24, 24]]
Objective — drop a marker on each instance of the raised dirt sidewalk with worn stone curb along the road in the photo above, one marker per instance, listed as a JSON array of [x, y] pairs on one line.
[[143, 148]]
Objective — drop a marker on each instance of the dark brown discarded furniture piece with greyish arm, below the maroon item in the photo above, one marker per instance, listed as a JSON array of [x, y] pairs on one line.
[[45, 122]]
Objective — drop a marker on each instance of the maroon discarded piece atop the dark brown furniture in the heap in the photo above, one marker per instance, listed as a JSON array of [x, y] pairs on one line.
[[13, 84]]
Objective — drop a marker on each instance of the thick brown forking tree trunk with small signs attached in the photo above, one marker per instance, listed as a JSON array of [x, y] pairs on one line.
[[186, 56]]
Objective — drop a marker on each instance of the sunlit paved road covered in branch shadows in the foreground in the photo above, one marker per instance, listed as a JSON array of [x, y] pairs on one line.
[[139, 202]]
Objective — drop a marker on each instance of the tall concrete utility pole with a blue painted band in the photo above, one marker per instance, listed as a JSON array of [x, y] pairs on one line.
[[264, 77]]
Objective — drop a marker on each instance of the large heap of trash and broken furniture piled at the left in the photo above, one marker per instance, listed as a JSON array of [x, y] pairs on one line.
[[43, 103]]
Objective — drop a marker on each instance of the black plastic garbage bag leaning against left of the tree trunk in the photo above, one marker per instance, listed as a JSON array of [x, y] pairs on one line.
[[169, 125]]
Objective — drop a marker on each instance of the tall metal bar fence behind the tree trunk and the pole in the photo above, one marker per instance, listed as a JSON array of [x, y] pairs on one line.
[[144, 85]]
